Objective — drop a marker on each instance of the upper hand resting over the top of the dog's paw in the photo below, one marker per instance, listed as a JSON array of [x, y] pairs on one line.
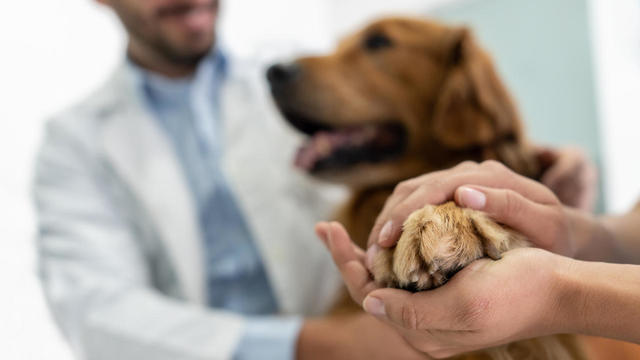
[[508, 198]]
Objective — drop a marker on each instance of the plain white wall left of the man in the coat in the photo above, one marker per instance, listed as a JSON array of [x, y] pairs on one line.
[[53, 52]]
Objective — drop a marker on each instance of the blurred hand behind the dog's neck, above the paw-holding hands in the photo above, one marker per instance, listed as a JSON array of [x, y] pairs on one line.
[[571, 175]]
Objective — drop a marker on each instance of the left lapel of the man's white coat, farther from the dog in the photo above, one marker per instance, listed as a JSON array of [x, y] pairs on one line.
[[142, 155]]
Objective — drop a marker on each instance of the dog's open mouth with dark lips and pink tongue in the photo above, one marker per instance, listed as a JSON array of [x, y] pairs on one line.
[[339, 148]]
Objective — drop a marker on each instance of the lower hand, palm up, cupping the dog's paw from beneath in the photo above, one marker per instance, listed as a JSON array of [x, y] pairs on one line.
[[486, 304]]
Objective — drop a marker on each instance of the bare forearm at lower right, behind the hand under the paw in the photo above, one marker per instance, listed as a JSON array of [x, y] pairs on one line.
[[600, 299]]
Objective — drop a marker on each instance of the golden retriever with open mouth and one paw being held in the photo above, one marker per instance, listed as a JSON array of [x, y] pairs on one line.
[[400, 98]]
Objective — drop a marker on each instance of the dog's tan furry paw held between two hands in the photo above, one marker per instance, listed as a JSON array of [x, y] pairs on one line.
[[438, 241]]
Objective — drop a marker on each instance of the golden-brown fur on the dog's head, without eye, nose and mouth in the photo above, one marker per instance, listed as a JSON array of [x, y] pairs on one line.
[[435, 81]]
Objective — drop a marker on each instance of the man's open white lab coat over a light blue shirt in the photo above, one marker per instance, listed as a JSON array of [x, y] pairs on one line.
[[120, 248]]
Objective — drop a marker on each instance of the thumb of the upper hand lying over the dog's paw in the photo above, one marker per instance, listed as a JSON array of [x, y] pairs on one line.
[[538, 222]]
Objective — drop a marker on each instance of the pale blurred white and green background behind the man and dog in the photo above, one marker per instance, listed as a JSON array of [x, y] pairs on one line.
[[573, 66]]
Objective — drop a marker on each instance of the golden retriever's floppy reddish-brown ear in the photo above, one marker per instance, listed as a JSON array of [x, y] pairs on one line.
[[473, 107]]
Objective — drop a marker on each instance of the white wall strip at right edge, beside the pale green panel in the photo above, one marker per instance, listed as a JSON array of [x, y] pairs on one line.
[[616, 45]]
